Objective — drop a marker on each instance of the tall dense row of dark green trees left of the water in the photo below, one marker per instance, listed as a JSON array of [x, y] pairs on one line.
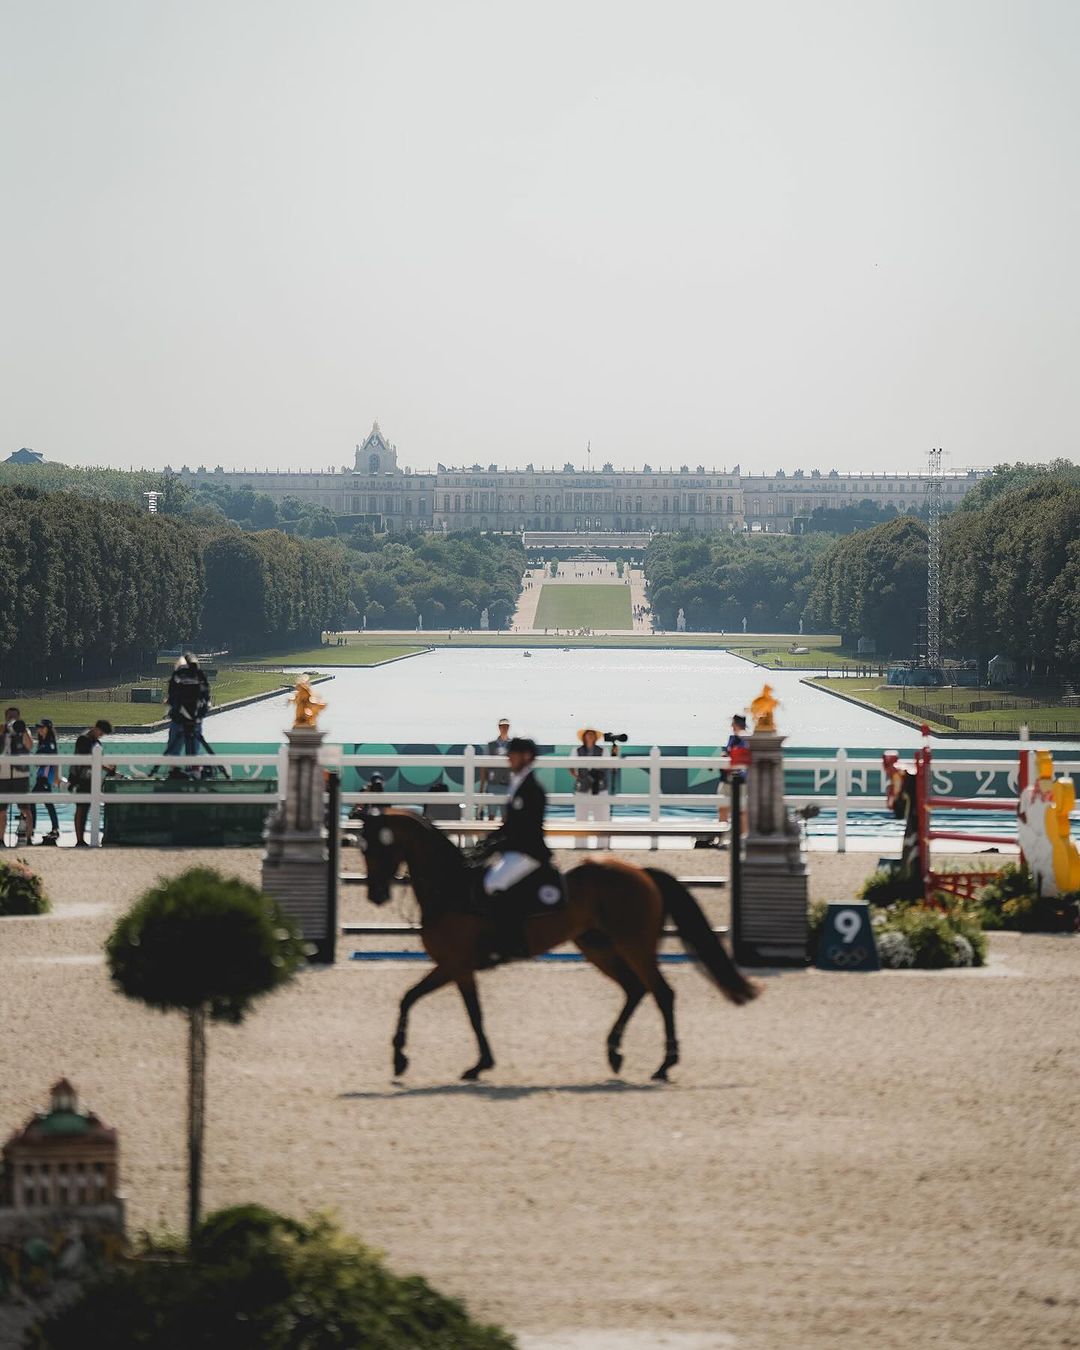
[[91, 589]]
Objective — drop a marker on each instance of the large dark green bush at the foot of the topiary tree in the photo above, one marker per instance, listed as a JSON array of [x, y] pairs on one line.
[[261, 1282]]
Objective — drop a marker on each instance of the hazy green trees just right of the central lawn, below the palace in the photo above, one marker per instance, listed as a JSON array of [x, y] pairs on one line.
[[722, 580]]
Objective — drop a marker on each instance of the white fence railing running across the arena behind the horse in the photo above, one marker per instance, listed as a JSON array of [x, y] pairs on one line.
[[248, 766]]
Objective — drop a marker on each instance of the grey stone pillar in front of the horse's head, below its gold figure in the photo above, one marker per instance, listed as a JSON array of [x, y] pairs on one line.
[[296, 867]]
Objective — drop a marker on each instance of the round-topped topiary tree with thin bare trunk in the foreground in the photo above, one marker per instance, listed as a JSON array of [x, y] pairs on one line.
[[209, 946]]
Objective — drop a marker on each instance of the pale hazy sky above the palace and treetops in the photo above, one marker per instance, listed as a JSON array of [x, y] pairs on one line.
[[780, 234]]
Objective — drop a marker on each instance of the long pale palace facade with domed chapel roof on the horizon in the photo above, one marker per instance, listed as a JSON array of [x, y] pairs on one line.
[[570, 499]]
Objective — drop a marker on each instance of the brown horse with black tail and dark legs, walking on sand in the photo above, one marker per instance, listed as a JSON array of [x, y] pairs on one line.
[[615, 915]]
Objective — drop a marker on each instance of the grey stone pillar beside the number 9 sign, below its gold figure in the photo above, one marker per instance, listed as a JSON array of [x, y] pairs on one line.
[[774, 902]]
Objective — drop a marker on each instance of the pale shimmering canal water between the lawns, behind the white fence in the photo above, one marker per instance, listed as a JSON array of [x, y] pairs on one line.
[[657, 697]]
